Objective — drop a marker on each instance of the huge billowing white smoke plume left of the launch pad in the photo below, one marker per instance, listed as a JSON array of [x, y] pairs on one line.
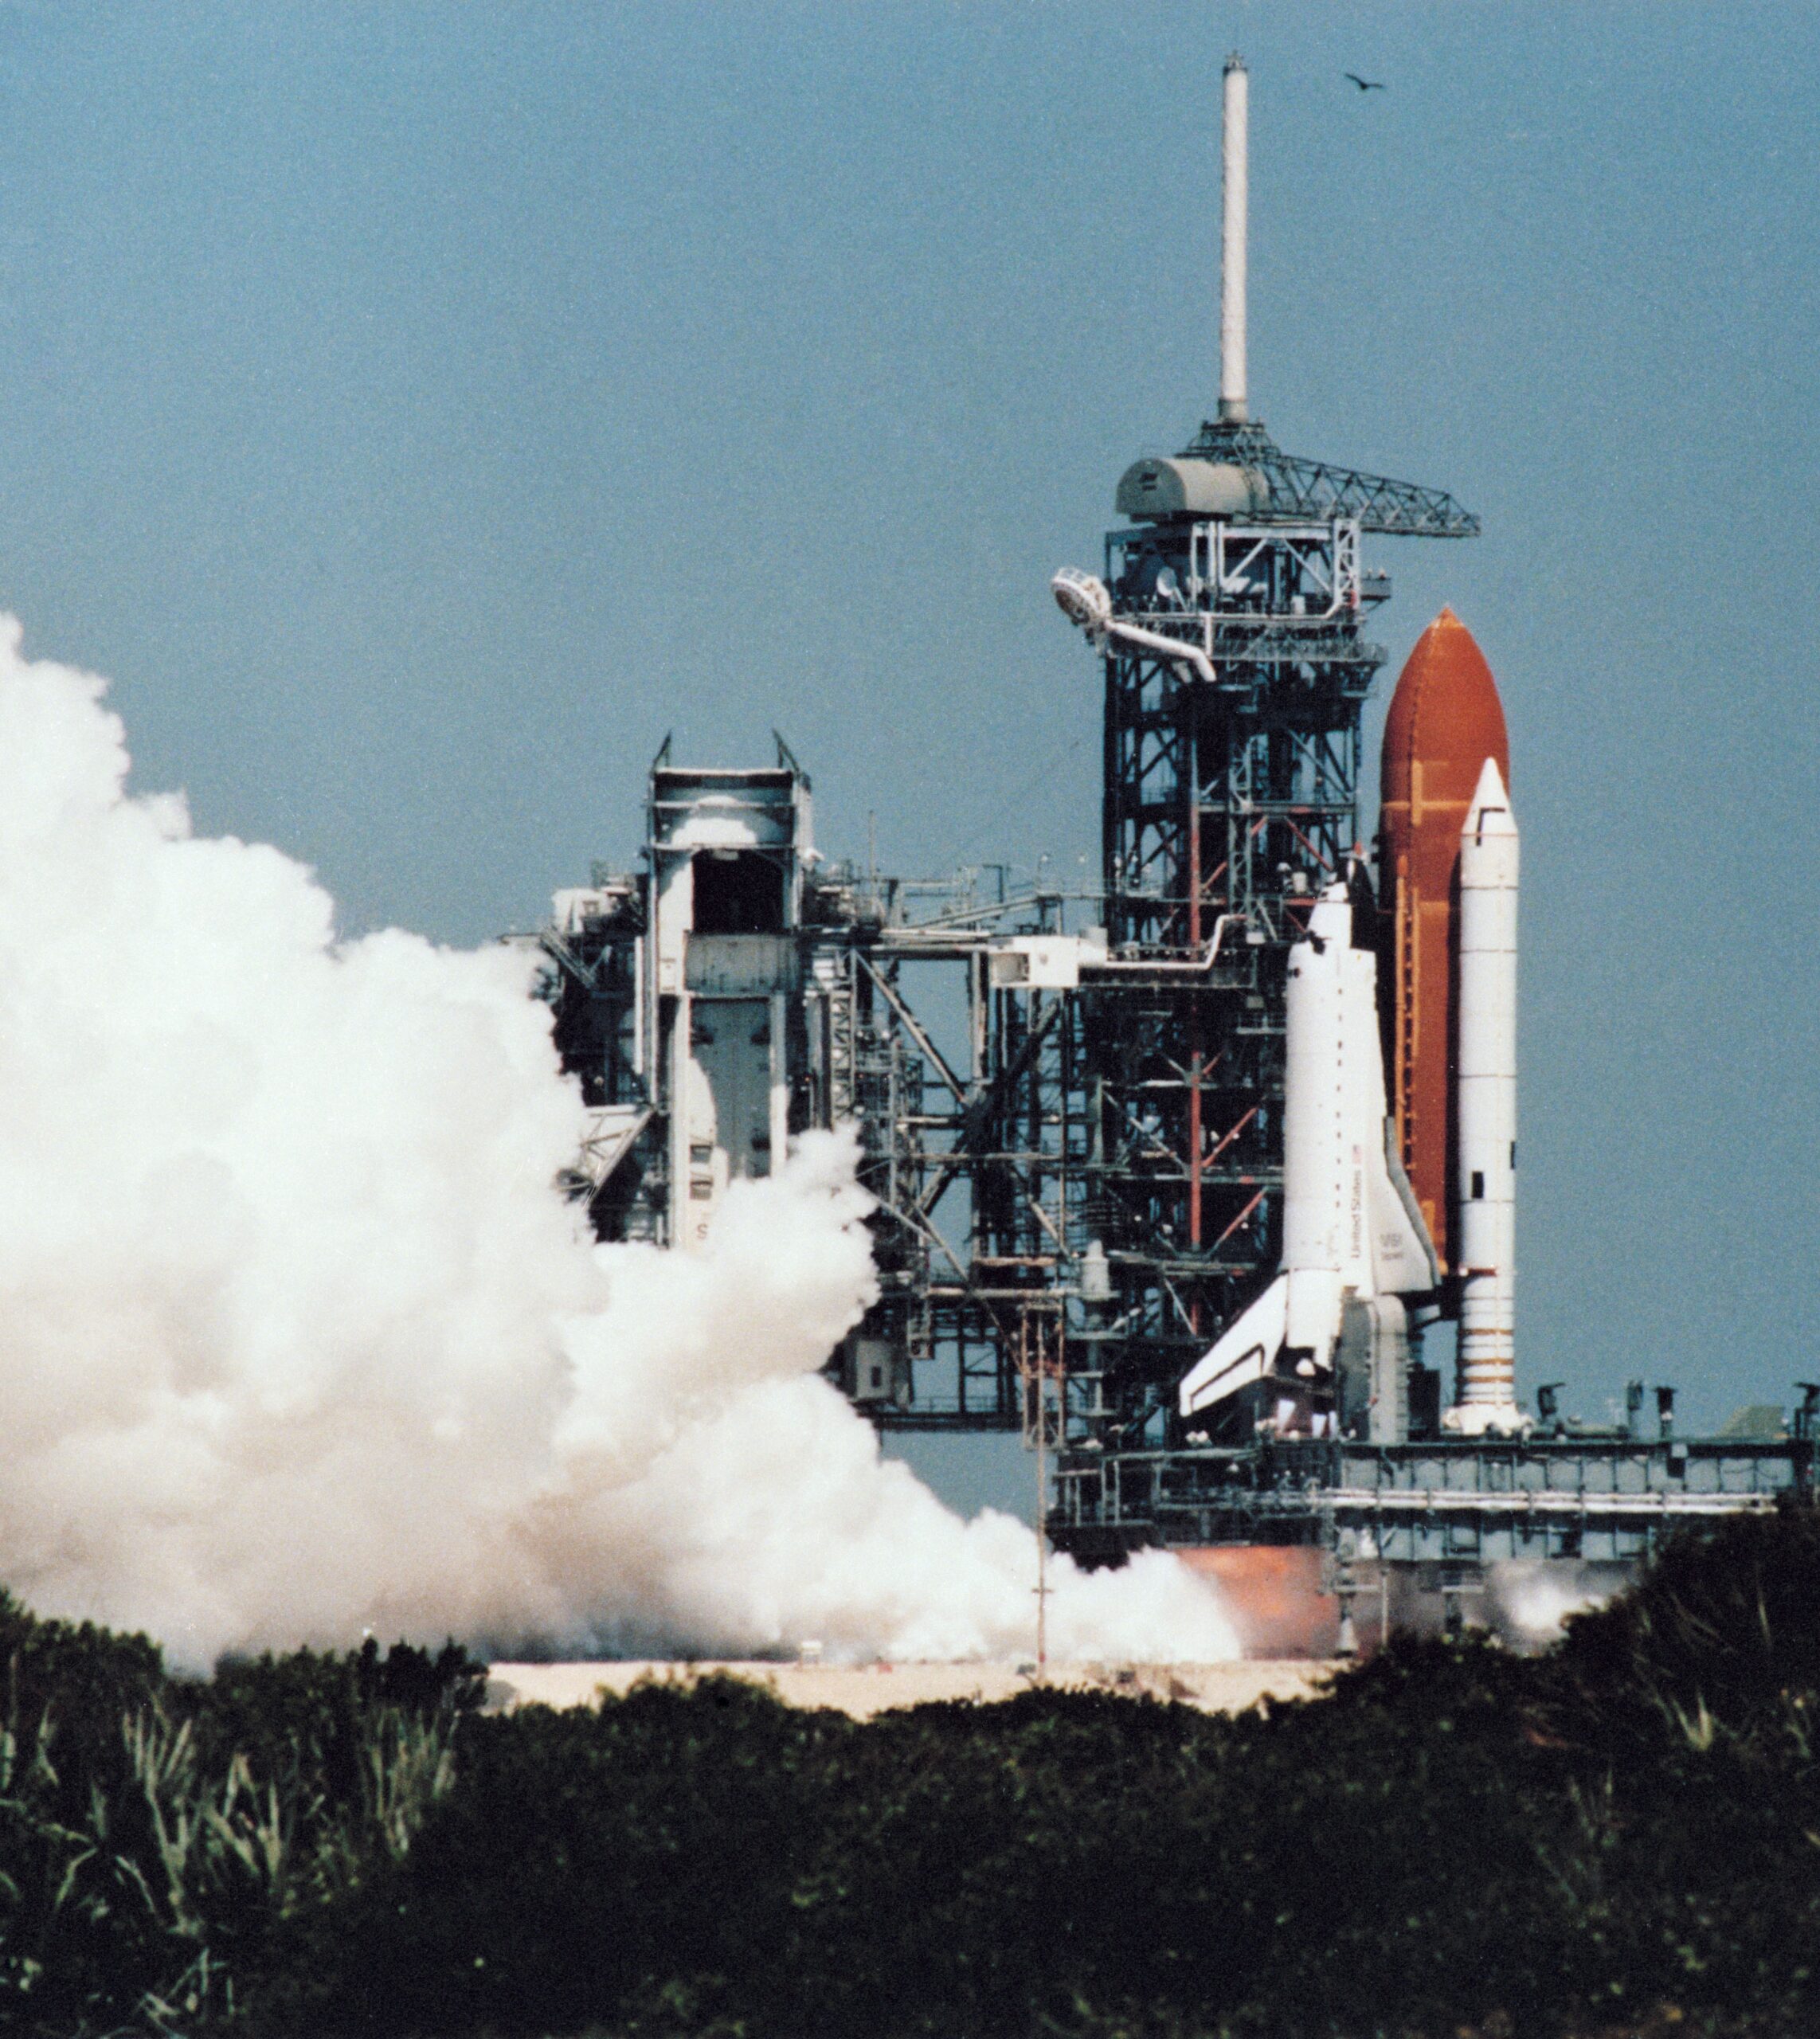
[[297, 1337]]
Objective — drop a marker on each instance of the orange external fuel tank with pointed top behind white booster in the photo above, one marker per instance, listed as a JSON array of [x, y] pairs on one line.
[[1446, 721]]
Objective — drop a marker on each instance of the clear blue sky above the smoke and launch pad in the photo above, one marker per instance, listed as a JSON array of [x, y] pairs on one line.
[[419, 411]]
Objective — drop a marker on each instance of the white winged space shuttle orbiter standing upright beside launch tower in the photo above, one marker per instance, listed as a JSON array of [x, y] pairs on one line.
[[1332, 1328]]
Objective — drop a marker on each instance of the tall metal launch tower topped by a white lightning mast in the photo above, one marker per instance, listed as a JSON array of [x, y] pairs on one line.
[[1232, 623]]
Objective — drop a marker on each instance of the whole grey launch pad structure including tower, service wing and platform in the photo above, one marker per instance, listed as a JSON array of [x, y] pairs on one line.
[[1071, 1106]]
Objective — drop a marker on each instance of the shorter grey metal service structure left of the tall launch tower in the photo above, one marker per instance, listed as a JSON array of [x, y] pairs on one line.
[[741, 990]]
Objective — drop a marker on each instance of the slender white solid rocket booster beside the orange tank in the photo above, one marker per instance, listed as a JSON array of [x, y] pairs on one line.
[[1487, 1112]]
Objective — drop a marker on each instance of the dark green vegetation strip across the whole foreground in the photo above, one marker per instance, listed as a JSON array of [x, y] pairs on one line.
[[1617, 1838]]
